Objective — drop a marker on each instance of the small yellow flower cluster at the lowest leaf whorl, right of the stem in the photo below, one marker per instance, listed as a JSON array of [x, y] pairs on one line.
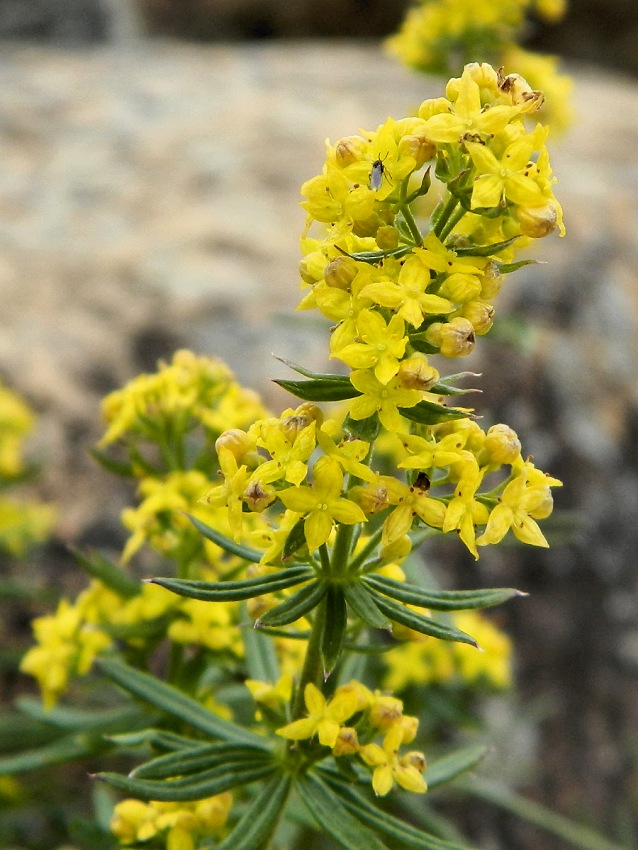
[[375, 714]]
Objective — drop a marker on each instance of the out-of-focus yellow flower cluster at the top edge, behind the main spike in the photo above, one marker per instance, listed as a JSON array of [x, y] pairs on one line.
[[437, 34]]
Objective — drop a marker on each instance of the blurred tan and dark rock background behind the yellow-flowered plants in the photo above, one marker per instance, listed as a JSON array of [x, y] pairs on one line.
[[151, 154]]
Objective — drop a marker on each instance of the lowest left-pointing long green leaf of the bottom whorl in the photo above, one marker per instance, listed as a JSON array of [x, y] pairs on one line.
[[195, 787]]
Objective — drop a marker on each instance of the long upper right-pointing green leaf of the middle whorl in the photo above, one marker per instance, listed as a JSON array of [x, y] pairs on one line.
[[441, 600]]
